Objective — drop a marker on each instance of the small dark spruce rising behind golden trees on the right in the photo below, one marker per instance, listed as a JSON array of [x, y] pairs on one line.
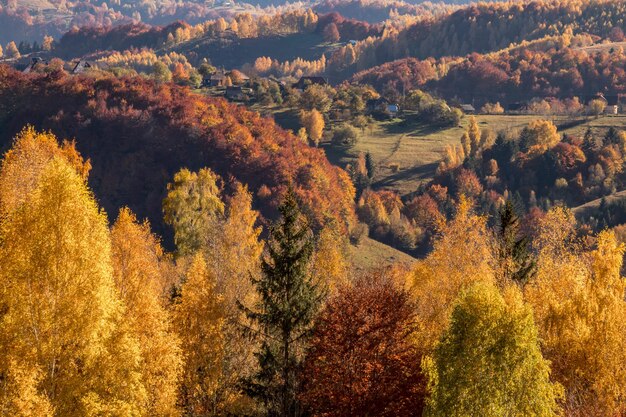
[[515, 260]]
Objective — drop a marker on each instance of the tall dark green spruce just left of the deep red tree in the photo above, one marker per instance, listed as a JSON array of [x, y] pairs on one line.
[[283, 318]]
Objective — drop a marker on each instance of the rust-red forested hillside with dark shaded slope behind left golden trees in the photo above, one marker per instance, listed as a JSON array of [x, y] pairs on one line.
[[138, 133]]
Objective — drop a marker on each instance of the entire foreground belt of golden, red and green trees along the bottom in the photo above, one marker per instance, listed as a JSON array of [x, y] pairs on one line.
[[98, 319]]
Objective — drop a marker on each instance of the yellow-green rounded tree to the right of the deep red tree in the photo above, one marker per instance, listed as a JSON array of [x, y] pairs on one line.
[[489, 362]]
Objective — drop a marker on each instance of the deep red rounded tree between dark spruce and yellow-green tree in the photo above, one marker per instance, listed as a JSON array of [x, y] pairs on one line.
[[362, 361]]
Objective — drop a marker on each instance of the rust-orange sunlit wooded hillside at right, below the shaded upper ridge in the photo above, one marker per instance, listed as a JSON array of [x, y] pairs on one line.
[[551, 67]]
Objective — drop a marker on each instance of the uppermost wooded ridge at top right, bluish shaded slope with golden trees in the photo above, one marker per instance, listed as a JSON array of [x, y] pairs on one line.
[[483, 28]]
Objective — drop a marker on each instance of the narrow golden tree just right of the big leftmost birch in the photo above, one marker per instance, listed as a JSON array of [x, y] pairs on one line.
[[138, 273]]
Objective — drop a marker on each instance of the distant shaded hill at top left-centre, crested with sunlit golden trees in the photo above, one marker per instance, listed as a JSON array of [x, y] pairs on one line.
[[283, 37]]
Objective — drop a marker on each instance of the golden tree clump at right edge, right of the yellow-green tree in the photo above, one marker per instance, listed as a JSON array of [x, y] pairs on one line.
[[578, 300]]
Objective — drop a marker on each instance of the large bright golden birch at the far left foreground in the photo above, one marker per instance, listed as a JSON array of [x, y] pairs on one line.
[[55, 266]]
